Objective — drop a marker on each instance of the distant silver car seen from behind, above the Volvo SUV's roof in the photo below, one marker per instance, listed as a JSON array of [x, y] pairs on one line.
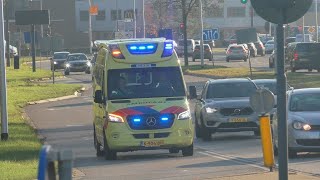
[[236, 52]]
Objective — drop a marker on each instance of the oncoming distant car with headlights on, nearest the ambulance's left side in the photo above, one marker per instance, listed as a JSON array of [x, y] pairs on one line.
[[77, 62]]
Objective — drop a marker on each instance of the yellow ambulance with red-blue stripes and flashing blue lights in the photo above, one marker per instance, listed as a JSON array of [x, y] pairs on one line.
[[140, 98]]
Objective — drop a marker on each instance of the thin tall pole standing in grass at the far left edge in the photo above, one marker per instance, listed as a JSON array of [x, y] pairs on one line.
[[3, 79]]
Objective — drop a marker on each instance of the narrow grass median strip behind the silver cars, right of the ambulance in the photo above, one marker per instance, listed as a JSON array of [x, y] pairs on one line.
[[297, 80]]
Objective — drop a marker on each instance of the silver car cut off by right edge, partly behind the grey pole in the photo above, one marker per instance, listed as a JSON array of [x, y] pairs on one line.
[[303, 122]]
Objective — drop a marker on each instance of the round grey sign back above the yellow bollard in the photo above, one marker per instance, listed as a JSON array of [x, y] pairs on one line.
[[262, 101]]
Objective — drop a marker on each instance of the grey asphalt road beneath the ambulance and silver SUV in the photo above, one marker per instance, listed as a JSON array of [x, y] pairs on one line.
[[68, 124]]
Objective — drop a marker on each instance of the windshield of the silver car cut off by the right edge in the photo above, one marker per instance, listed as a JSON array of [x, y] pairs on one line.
[[305, 102]]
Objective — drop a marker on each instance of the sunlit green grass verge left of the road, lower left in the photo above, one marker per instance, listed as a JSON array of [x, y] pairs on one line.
[[19, 155]]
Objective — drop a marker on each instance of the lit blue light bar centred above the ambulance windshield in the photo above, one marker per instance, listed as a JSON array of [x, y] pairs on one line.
[[140, 49]]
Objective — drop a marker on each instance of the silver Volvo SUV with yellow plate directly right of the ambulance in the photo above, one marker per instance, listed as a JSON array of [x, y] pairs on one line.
[[224, 107]]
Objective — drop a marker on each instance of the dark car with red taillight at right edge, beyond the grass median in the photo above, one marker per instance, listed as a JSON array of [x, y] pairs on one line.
[[304, 56]]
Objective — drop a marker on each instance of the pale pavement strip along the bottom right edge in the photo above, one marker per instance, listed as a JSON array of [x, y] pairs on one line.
[[269, 176]]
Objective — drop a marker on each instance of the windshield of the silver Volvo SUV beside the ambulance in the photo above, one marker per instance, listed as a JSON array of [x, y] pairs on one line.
[[230, 90]]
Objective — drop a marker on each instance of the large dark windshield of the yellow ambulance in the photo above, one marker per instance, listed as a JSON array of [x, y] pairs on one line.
[[145, 83]]
